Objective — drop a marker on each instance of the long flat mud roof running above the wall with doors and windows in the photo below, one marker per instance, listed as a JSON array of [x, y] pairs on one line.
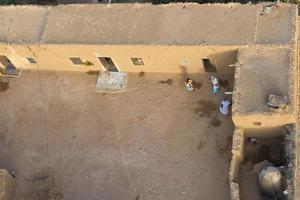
[[205, 24]]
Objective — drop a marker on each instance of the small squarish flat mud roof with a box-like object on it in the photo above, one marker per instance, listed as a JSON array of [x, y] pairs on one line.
[[261, 72]]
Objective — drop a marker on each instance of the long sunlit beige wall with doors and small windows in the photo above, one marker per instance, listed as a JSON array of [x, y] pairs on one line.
[[173, 59]]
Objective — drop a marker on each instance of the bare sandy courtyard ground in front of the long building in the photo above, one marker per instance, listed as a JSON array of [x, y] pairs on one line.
[[155, 141]]
